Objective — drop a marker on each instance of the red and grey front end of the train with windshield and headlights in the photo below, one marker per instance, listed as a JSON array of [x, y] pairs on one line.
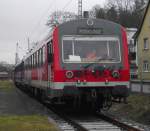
[[90, 62]]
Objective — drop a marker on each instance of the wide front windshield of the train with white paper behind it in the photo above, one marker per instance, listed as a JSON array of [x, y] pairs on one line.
[[91, 50]]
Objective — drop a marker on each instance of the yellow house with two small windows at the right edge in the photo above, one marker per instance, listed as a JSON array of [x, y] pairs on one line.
[[143, 46]]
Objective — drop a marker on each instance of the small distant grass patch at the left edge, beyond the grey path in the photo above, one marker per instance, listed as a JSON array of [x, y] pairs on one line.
[[6, 85]]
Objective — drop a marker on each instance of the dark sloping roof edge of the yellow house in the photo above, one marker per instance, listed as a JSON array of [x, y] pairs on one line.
[[140, 28]]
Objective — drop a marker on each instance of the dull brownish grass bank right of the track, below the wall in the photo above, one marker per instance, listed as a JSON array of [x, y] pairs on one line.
[[137, 109]]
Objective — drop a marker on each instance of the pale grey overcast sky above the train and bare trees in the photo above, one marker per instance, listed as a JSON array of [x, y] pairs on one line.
[[20, 19]]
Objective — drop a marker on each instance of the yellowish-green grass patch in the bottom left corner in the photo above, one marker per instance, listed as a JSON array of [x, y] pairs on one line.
[[26, 123]]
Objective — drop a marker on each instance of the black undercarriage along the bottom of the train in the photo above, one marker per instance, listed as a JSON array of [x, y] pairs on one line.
[[96, 99]]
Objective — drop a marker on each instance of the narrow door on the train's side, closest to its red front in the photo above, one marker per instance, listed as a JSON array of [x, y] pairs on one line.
[[50, 60]]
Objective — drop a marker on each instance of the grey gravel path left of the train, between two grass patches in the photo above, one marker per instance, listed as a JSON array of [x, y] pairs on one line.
[[15, 102]]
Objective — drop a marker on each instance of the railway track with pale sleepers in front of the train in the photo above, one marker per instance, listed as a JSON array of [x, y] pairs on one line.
[[94, 122]]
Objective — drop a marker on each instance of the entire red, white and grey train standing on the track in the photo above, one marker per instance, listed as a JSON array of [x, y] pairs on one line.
[[82, 61]]
